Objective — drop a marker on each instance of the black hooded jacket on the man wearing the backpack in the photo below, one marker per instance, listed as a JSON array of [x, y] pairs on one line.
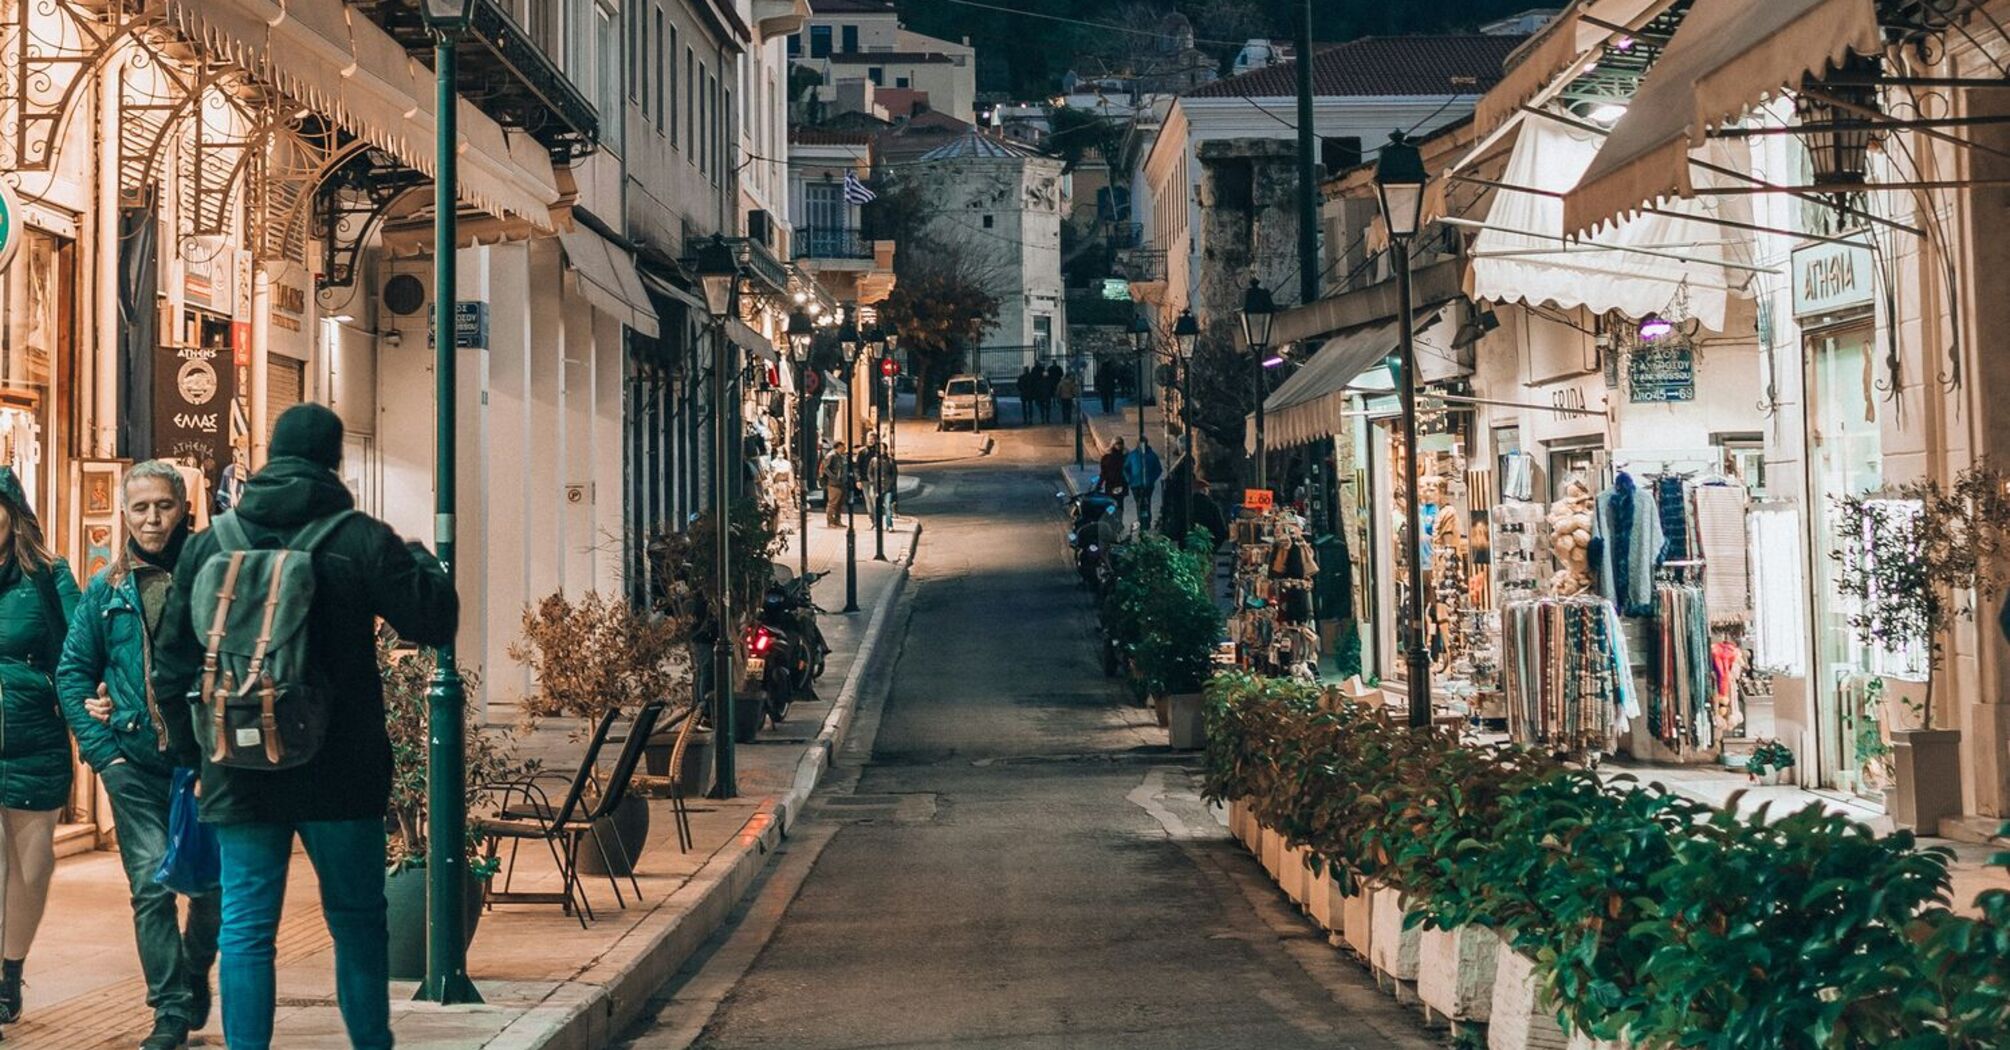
[[361, 572]]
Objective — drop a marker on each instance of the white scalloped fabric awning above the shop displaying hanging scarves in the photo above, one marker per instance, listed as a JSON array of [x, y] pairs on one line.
[[1523, 254]]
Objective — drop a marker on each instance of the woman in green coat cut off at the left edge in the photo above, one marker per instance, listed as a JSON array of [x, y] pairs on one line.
[[37, 598]]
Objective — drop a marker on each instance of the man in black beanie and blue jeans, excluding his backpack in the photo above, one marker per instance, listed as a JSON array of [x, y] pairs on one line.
[[337, 798]]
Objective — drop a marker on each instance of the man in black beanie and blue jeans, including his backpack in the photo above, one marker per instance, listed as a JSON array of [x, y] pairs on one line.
[[270, 633]]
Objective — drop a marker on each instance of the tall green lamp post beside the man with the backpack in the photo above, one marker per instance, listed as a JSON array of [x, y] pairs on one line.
[[447, 699]]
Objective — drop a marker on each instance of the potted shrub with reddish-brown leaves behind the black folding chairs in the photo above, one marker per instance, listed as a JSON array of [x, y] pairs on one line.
[[592, 657]]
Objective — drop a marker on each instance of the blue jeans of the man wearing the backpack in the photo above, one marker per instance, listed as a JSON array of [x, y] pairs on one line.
[[349, 860]]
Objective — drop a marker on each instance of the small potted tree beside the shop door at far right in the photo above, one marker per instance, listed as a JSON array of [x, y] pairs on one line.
[[1913, 560]]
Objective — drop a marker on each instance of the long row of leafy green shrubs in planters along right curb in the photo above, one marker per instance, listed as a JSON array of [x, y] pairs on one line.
[[1639, 916]]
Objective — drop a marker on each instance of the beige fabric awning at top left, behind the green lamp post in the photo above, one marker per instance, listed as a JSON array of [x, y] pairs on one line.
[[331, 57]]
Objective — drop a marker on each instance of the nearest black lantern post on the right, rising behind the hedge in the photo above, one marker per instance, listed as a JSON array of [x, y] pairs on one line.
[[1400, 180]]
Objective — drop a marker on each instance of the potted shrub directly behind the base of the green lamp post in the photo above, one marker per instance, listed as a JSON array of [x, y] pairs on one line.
[[489, 761]]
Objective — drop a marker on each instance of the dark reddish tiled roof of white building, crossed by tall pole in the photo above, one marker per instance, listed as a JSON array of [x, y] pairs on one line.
[[1382, 65]]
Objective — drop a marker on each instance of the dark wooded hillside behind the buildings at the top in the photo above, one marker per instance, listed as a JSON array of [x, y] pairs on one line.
[[1024, 55]]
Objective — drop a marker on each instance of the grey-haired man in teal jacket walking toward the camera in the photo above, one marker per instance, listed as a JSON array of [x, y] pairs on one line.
[[112, 709]]
